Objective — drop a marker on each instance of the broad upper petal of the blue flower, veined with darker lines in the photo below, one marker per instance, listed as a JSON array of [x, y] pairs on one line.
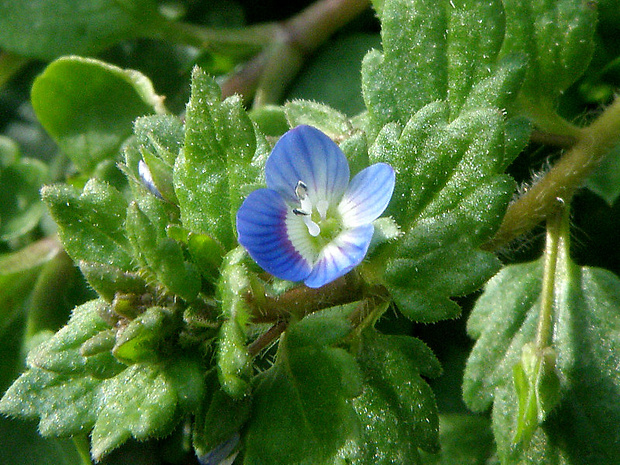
[[306, 154]]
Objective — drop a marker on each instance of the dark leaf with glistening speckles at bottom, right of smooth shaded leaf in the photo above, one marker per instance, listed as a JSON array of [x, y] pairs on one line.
[[397, 408]]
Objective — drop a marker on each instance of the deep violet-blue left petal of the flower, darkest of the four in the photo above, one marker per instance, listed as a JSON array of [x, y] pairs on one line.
[[261, 225]]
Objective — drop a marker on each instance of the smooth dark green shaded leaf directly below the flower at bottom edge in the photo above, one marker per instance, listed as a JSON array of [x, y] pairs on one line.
[[301, 412]]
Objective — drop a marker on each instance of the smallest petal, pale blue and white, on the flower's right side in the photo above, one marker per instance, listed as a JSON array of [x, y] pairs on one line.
[[368, 195]]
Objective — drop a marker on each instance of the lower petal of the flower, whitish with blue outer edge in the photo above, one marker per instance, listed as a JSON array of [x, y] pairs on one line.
[[340, 256]]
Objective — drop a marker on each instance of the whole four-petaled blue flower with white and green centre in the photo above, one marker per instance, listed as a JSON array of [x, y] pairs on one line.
[[311, 224]]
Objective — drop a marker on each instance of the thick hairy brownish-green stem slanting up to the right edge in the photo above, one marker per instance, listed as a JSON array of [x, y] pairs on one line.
[[538, 202]]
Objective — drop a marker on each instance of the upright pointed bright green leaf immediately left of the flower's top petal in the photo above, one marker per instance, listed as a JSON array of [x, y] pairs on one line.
[[222, 161]]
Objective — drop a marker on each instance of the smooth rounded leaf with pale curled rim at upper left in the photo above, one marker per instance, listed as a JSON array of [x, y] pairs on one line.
[[88, 107]]
